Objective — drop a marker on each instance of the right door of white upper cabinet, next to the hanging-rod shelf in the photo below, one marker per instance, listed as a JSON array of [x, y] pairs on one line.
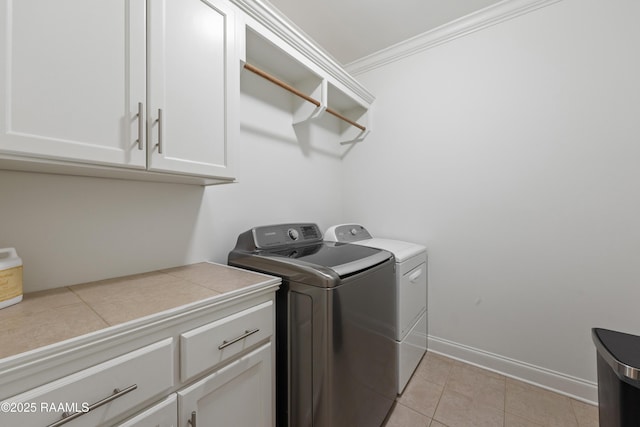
[[193, 87]]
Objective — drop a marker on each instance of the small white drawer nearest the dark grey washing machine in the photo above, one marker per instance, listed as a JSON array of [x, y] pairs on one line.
[[208, 345]]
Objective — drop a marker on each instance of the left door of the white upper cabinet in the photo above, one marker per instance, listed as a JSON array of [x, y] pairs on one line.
[[72, 73]]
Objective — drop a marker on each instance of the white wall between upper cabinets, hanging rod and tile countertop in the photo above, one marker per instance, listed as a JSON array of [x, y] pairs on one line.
[[72, 230]]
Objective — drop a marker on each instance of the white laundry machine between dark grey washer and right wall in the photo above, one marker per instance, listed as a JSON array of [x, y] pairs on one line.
[[411, 288]]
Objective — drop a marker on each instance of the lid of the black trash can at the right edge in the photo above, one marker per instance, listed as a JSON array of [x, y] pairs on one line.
[[620, 350]]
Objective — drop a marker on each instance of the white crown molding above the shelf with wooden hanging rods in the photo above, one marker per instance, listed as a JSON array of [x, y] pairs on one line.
[[266, 14]]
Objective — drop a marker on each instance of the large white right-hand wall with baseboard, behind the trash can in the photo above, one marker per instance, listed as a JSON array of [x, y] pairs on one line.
[[513, 154]]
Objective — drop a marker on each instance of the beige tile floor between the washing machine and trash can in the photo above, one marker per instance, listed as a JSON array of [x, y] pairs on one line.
[[447, 393]]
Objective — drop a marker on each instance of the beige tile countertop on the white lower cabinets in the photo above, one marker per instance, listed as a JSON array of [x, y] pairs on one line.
[[54, 315]]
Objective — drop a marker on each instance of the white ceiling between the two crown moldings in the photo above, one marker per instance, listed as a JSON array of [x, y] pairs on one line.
[[352, 29]]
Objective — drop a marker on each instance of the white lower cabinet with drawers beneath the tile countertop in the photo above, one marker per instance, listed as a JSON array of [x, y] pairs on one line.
[[228, 383]]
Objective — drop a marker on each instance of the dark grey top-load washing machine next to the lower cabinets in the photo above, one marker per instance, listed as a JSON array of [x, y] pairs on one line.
[[335, 325]]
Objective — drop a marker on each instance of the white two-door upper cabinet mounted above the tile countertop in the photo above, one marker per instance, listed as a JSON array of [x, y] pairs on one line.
[[135, 84]]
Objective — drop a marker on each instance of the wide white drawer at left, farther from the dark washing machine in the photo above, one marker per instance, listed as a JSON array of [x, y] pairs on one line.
[[97, 394]]
